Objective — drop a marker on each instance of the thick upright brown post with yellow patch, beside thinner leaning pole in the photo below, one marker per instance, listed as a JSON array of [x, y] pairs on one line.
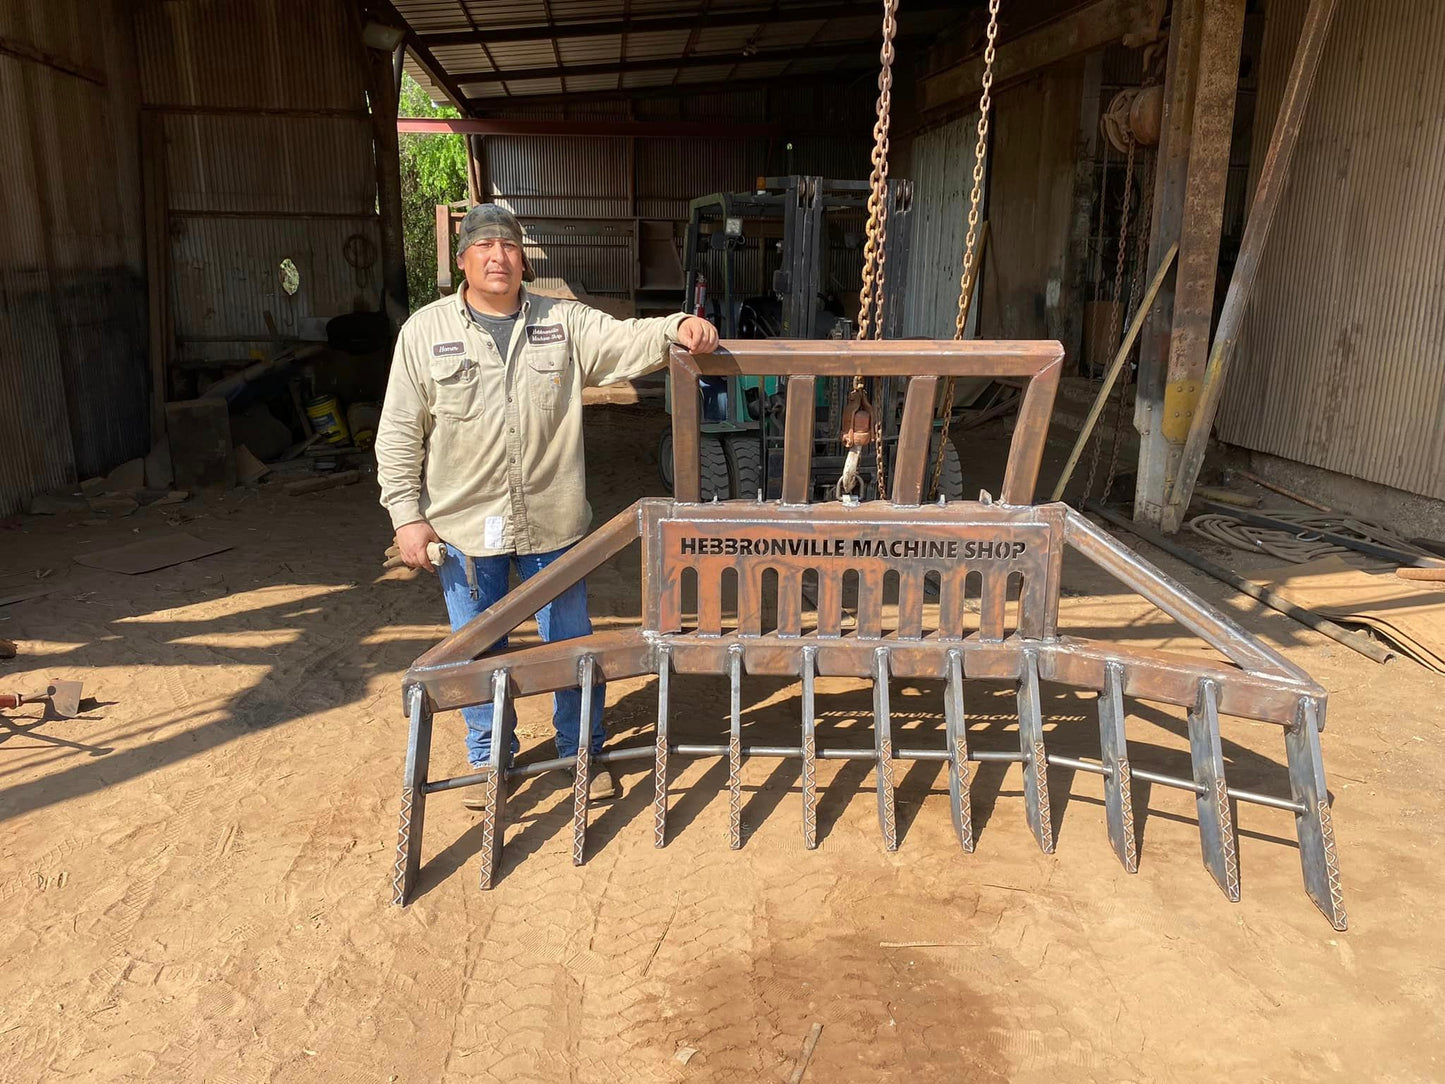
[[1222, 31]]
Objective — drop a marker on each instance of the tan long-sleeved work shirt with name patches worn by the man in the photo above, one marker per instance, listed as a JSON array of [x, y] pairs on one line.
[[489, 450]]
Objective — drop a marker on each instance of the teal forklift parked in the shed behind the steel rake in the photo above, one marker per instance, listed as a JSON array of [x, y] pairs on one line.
[[785, 261]]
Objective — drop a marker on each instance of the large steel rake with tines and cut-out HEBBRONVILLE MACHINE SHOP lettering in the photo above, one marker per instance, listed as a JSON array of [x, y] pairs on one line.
[[1002, 560]]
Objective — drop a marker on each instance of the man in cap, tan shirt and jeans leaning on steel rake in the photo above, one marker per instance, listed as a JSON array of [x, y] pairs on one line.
[[480, 443]]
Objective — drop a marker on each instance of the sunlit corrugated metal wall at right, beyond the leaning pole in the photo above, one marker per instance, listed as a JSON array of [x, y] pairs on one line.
[[1342, 362]]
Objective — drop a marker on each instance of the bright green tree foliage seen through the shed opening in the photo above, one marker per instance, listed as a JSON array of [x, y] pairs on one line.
[[434, 171]]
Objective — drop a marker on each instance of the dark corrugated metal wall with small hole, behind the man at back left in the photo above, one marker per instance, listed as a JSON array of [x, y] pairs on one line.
[[268, 151]]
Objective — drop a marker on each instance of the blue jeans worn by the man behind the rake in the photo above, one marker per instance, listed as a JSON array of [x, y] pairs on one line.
[[563, 619]]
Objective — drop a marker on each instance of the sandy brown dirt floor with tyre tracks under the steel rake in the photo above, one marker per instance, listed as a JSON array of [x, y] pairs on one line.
[[194, 875]]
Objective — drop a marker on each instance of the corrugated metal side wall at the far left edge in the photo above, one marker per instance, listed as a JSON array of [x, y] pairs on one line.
[[73, 335]]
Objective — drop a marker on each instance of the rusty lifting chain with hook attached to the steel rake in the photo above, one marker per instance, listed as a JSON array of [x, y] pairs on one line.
[[875, 270]]
